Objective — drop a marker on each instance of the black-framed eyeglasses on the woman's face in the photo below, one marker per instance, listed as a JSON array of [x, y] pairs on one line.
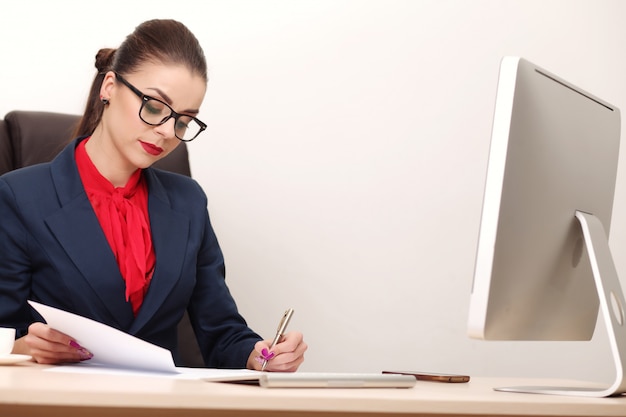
[[156, 112]]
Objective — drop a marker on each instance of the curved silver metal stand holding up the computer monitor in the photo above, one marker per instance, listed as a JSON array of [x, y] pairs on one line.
[[612, 306]]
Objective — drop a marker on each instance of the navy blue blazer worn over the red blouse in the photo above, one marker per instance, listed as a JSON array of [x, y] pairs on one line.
[[53, 250]]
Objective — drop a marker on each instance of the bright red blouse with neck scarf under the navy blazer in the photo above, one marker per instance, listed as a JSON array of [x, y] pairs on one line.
[[123, 216]]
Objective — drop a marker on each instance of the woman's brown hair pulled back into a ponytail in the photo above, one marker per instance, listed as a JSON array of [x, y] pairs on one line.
[[154, 41]]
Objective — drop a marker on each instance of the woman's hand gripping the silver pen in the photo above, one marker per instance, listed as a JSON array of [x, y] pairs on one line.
[[286, 356]]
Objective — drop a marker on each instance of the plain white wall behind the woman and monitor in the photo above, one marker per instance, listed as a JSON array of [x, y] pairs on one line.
[[346, 154]]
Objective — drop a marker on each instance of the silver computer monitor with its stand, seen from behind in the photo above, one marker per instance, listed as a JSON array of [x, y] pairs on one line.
[[543, 266]]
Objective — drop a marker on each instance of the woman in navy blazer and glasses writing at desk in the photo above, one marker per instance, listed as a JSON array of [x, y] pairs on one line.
[[99, 233]]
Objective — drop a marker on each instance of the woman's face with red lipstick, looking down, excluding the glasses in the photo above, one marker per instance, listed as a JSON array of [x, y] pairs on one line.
[[124, 141]]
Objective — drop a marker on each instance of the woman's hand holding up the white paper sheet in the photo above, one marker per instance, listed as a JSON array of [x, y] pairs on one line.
[[50, 346]]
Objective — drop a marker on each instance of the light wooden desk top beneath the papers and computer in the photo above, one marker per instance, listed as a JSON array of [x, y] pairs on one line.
[[26, 390]]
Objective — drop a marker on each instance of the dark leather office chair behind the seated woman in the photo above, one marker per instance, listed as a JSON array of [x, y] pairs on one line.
[[31, 137]]
